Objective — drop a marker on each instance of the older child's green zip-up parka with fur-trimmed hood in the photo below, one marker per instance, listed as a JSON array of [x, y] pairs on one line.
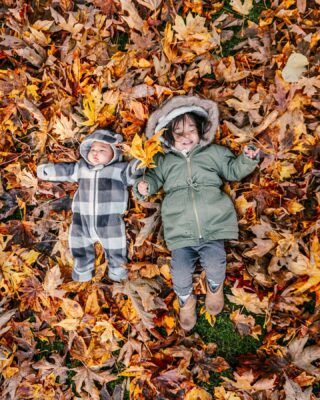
[[194, 206]]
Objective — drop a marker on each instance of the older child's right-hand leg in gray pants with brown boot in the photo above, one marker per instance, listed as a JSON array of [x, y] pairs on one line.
[[213, 259]]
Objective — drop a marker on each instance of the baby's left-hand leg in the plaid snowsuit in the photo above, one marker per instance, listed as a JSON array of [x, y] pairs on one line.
[[82, 249]]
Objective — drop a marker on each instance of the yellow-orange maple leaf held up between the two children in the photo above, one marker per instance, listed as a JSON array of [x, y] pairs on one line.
[[144, 150]]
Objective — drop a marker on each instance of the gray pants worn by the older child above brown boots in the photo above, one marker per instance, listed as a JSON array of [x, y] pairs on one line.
[[212, 257]]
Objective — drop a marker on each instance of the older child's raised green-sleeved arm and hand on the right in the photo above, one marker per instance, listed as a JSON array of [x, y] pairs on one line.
[[236, 168]]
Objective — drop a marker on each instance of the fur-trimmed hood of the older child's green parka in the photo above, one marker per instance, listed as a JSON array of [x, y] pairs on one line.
[[182, 104]]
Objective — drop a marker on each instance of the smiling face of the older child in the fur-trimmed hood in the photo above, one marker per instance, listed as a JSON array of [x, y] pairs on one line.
[[185, 134]]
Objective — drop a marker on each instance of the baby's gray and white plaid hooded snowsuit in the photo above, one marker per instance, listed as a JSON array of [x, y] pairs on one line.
[[98, 205]]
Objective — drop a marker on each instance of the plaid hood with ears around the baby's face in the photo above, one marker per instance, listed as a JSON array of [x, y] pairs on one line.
[[103, 136]]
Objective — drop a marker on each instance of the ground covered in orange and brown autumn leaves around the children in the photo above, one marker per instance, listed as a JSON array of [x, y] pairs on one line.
[[68, 67]]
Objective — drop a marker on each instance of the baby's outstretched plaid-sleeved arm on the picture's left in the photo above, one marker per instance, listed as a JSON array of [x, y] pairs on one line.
[[60, 172]]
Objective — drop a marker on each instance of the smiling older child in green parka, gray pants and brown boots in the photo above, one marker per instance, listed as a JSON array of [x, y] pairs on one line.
[[197, 216]]
